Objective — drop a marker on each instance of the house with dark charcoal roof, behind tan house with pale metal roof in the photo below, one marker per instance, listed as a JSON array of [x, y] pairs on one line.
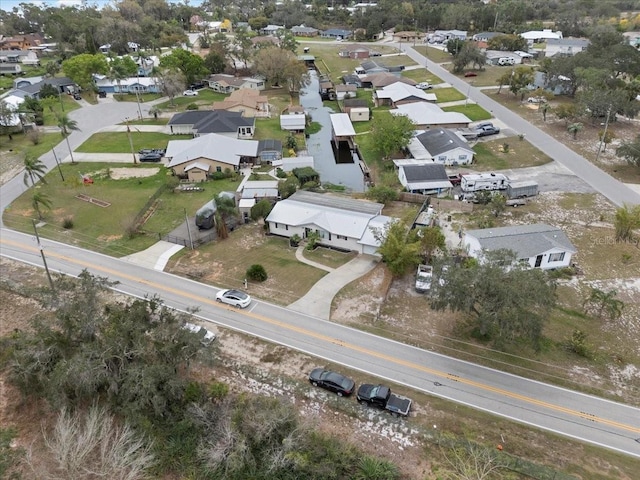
[[203, 122]]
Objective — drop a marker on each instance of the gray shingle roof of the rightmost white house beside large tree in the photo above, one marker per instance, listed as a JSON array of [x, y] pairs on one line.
[[526, 240]]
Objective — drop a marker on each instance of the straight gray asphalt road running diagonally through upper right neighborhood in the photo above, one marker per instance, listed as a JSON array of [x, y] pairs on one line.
[[602, 182]]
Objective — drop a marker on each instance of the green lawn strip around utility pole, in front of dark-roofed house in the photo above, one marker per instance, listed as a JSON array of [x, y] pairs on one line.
[[118, 142]]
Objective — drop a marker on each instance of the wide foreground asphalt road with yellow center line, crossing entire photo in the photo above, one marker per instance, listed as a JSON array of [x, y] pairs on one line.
[[582, 417]]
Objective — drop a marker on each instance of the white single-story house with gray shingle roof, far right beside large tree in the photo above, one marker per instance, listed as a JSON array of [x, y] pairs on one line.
[[539, 245]]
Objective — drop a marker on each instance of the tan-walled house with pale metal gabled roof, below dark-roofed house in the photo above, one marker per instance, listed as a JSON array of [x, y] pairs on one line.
[[210, 153]]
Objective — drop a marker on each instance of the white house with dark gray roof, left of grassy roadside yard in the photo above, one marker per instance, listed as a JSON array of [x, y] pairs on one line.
[[442, 146]]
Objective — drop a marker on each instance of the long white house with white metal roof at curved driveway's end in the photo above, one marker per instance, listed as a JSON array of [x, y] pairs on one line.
[[340, 222]]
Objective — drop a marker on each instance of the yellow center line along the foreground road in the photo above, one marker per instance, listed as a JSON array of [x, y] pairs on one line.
[[342, 343]]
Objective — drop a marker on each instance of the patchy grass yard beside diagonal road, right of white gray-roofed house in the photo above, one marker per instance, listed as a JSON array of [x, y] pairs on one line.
[[490, 155]]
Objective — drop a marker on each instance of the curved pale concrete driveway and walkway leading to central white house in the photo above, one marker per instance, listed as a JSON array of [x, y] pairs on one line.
[[317, 301]]
